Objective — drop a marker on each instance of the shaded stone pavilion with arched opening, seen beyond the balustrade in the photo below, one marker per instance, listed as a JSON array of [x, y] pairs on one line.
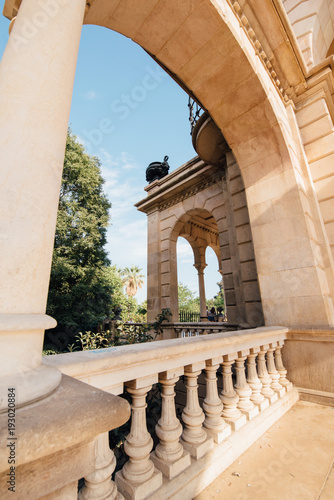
[[206, 205]]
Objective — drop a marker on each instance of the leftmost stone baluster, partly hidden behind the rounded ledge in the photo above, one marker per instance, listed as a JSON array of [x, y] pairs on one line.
[[98, 485]]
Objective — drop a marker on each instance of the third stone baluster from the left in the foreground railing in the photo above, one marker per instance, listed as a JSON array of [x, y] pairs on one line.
[[169, 456]]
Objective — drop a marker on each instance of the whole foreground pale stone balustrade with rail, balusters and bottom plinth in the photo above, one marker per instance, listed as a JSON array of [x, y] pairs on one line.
[[246, 390]]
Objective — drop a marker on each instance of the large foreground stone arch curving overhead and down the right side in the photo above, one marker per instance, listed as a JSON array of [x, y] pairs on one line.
[[223, 57]]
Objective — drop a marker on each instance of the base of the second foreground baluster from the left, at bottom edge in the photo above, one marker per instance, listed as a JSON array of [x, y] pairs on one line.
[[138, 491]]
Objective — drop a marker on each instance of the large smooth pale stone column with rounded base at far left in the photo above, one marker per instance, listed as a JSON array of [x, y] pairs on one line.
[[36, 81]]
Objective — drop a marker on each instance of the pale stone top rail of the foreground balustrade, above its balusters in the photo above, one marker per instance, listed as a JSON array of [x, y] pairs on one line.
[[109, 368]]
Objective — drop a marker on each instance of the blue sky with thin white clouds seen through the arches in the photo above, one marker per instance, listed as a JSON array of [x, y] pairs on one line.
[[127, 111]]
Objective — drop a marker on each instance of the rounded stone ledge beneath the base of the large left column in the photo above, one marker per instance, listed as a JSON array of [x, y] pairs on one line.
[[75, 413]]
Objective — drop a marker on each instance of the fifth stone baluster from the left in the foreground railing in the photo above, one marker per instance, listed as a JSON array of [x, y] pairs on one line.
[[214, 424]]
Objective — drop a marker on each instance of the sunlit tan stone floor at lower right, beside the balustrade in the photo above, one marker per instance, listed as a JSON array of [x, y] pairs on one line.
[[293, 460]]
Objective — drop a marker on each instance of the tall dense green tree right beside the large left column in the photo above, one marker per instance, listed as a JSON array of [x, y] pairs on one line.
[[80, 285]]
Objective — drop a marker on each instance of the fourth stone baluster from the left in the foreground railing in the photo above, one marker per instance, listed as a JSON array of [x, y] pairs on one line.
[[194, 438]]
